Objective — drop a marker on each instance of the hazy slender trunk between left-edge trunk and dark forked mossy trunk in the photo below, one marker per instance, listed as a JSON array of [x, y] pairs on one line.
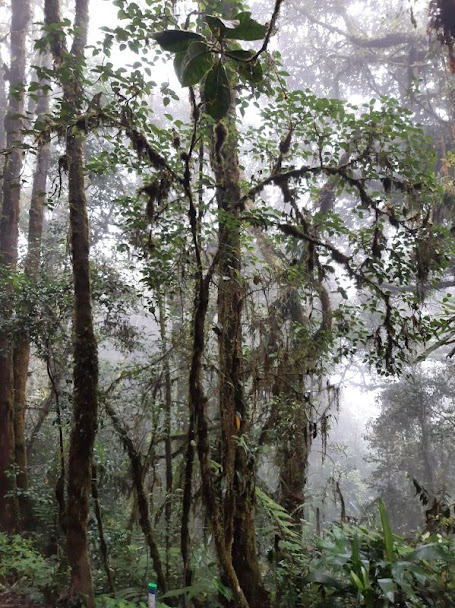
[[22, 343]]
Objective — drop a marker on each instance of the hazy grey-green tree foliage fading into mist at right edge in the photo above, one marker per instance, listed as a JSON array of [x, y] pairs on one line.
[[410, 439]]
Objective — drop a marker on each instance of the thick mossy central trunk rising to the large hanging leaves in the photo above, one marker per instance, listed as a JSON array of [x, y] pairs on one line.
[[238, 470]]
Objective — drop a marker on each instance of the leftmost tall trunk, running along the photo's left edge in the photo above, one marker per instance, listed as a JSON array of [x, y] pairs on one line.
[[9, 230]]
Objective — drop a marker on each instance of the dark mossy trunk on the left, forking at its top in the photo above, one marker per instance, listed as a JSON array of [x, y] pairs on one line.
[[85, 372]]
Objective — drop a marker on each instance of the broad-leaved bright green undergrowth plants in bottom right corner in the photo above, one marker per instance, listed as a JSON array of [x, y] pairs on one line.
[[357, 566]]
